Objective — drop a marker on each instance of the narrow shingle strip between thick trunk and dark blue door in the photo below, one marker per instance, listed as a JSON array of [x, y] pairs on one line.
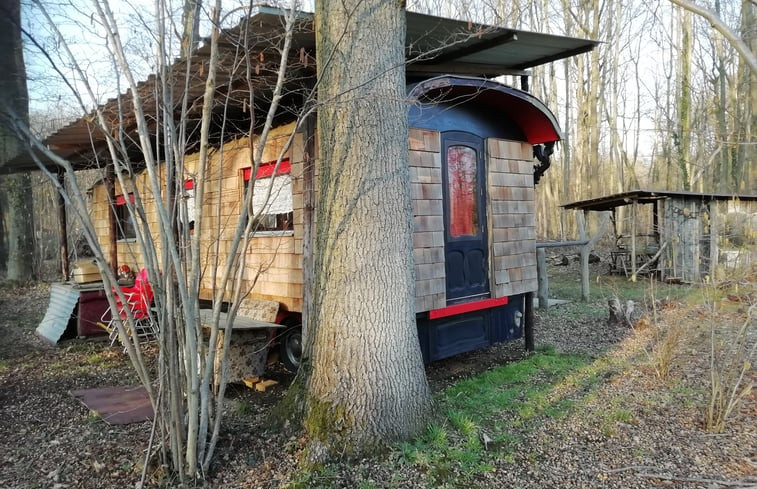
[[428, 209]]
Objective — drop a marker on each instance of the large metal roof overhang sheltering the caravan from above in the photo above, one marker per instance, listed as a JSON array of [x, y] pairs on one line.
[[435, 46]]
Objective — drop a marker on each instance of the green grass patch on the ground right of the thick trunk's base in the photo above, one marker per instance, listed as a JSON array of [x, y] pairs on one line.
[[482, 419]]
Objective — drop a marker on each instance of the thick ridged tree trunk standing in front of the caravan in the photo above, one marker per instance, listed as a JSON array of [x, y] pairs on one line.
[[365, 379]]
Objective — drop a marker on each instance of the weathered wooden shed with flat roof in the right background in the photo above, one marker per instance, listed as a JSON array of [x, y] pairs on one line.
[[680, 236]]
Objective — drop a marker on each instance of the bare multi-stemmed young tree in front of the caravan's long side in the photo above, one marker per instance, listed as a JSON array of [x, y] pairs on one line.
[[145, 137]]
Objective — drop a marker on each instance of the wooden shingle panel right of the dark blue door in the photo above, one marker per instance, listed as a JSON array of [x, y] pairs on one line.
[[512, 219]]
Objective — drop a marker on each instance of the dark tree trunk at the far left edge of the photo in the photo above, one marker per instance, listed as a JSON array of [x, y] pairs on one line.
[[16, 203]]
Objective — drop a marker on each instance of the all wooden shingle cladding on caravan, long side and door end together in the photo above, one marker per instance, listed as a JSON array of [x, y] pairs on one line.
[[274, 262]]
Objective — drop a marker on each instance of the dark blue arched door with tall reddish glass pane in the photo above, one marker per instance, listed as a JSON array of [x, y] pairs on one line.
[[465, 245]]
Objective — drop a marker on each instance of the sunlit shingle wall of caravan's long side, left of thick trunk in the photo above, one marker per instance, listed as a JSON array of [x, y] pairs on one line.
[[271, 263]]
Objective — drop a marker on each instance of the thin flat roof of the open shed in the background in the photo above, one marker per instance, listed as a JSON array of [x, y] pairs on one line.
[[640, 196]]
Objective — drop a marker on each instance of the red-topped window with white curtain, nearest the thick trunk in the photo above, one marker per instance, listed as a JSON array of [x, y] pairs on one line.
[[272, 196]]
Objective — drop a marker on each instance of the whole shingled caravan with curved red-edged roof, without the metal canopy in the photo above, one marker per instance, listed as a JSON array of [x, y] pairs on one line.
[[472, 177]]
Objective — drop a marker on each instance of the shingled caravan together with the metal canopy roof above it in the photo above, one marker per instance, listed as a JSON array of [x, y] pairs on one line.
[[477, 148]]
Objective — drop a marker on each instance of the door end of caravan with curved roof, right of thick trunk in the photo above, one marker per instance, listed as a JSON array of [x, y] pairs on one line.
[[472, 168]]
